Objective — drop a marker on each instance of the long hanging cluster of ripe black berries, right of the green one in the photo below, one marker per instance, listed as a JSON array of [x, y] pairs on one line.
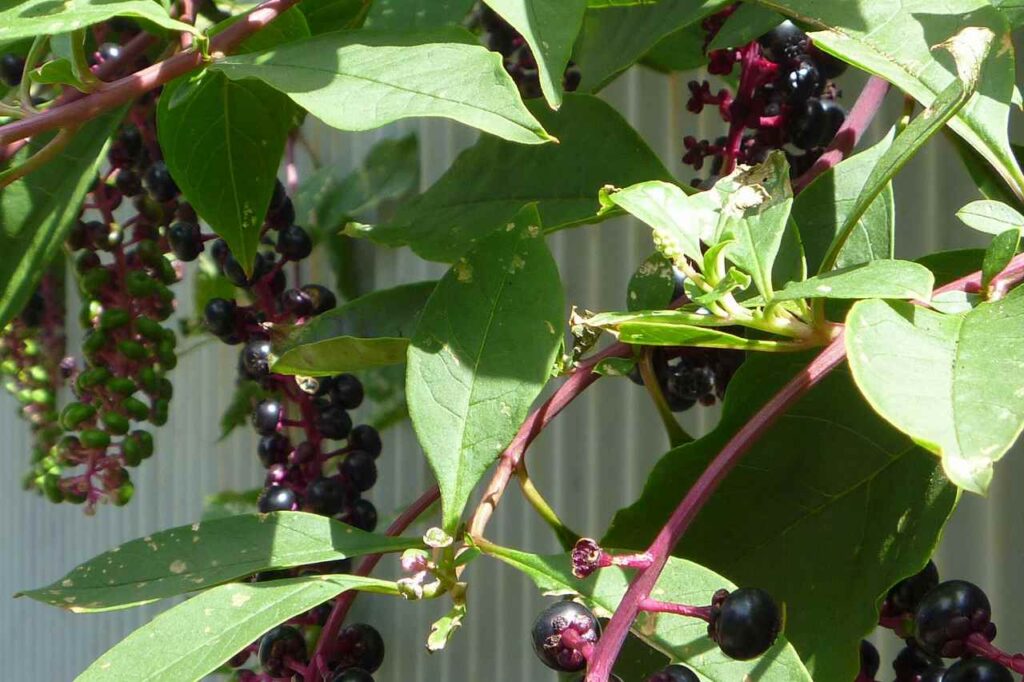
[[296, 418]]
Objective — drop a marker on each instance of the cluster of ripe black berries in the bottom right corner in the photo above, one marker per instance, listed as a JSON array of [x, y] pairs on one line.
[[948, 620]]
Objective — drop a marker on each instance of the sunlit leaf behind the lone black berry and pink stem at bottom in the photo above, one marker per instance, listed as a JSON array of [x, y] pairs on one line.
[[679, 638]]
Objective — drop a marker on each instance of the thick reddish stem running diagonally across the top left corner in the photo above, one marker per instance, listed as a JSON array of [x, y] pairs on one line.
[[119, 93]]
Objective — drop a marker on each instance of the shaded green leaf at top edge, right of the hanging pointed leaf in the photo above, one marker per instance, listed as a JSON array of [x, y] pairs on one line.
[[613, 38]]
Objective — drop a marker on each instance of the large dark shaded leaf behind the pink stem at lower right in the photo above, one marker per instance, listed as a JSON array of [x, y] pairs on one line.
[[851, 519]]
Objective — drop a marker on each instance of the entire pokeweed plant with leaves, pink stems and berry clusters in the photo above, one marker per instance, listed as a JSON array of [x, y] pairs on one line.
[[864, 392]]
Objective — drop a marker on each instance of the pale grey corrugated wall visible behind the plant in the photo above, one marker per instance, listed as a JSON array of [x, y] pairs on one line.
[[590, 464]]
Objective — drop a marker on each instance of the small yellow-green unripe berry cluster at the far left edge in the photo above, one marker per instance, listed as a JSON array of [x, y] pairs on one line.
[[32, 350]]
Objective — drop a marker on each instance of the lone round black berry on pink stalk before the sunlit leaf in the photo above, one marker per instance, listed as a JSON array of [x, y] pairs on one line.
[[746, 624]]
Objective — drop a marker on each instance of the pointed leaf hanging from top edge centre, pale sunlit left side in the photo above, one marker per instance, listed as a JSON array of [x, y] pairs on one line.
[[550, 28]]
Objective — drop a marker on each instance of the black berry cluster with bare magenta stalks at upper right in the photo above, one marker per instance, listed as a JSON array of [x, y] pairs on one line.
[[785, 97]]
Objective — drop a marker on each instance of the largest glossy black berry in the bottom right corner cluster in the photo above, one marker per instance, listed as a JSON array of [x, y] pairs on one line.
[[951, 613]]
